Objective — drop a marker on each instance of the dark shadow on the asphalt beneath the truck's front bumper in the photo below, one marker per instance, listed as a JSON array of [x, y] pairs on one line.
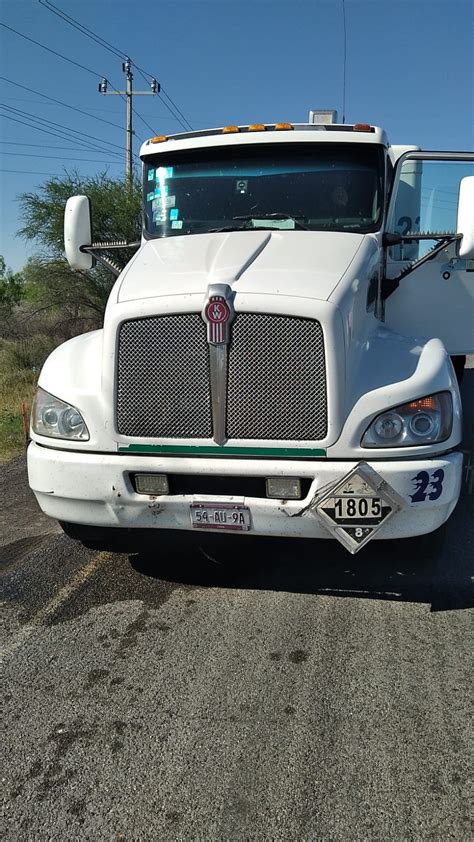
[[392, 570]]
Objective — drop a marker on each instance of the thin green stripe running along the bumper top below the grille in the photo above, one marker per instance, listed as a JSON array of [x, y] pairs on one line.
[[215, 450]]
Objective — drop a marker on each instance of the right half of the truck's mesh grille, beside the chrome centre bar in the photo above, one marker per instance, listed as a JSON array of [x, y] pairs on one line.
[[276, 386]]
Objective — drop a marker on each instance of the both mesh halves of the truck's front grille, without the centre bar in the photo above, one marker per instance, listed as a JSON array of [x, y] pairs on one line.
[[276, 385]]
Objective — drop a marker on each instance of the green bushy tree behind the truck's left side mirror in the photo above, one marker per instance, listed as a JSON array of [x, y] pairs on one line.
[[49, 282]]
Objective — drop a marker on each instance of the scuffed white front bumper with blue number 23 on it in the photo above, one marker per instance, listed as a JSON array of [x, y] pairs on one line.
[[95, 490]]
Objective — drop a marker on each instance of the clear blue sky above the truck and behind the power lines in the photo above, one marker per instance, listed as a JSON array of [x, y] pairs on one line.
[[410, 69]]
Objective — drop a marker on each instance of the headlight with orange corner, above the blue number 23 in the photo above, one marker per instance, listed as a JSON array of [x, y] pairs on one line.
[[423, 421]]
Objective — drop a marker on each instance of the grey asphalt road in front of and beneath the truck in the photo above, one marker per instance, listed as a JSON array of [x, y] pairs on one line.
[[233, 689]]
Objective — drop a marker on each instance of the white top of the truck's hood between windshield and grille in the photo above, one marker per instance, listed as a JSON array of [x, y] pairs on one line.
[[308, 264]]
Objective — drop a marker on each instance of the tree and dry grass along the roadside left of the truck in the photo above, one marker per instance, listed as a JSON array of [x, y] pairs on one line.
[[46, 302]]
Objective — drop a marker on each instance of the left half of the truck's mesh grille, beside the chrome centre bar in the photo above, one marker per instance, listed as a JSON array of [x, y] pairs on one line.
[[163, 378]]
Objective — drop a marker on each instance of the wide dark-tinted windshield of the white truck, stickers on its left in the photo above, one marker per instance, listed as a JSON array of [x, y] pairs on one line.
[[318, 187]]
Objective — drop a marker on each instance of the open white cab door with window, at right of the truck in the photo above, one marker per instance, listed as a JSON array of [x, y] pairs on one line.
[[424, 249]]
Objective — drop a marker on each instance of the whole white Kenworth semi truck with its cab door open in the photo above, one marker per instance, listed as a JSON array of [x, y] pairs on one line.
[[276, 357]]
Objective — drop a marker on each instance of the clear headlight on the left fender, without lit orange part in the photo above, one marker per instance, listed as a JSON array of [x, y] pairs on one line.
[[55, 418]]
